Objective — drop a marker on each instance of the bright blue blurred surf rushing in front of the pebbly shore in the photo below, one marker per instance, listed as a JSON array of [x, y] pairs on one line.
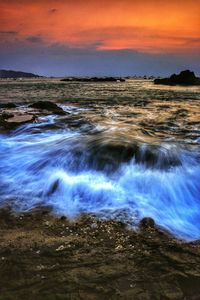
[[41, 168]]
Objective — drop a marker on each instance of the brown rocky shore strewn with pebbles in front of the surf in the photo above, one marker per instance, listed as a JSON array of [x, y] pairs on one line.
[[43, 256]]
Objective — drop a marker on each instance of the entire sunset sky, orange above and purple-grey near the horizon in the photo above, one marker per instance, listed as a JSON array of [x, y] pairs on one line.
[[125, 37]]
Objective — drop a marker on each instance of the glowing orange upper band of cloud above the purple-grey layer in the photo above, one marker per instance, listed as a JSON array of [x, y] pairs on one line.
[[149, 26]]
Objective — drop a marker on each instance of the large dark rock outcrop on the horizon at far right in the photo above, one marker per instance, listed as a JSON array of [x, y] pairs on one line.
[[184, 78]]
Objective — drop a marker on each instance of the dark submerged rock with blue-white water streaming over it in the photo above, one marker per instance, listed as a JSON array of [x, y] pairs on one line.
[[110, 154]]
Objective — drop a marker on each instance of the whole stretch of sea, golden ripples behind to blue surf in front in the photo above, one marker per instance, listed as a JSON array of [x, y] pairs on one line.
[[127, 150]]
